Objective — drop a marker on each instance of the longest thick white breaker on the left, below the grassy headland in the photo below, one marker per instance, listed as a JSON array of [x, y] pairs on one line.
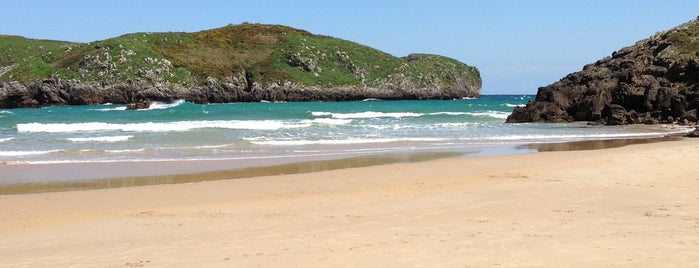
[[157, 126]]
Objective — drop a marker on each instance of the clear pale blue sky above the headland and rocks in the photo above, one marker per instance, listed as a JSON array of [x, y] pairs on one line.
[[517, 45]]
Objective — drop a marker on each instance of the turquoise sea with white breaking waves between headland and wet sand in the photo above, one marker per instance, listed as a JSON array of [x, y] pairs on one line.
[[184, 131]]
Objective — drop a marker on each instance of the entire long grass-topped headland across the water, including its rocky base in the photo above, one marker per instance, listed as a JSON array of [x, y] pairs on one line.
[[236, 63]]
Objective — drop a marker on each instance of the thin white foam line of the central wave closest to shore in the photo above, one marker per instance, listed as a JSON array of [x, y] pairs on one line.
[[338, 142]]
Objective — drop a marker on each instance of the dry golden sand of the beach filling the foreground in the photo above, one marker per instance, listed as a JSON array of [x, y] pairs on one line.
[[632, 206]]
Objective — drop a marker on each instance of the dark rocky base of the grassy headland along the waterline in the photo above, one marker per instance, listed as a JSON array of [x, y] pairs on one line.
[[56, 92]]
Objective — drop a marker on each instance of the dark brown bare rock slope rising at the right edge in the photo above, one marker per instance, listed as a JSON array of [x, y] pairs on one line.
[[654, 81]]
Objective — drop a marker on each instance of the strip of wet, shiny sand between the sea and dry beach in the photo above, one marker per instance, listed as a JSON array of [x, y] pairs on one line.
[[38, 178]]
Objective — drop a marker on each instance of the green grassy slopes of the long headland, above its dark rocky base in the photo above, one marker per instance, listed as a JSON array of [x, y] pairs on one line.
[[261, 53]]
